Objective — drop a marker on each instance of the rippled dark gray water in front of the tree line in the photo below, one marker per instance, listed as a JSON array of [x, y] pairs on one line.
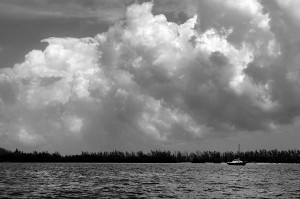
[[80, 180]]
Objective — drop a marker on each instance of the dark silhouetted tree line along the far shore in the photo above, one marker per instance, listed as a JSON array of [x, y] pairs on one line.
[[154, 156]]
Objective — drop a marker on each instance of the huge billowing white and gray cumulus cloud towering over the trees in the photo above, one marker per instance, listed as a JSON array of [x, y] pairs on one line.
[[148, 82]]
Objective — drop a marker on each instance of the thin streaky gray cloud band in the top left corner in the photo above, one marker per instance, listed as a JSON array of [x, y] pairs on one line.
[[99, 10]]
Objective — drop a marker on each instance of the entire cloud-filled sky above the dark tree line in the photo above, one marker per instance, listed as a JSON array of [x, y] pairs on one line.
[[184, 75]]
